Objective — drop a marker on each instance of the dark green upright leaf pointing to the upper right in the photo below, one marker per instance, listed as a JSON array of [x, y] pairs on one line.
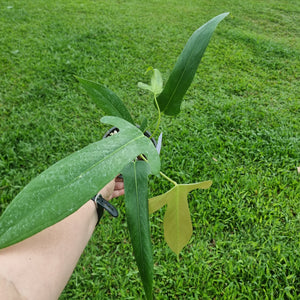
[[186, 66]]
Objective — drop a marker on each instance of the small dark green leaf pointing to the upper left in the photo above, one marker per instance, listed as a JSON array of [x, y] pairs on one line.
[[106, 100]]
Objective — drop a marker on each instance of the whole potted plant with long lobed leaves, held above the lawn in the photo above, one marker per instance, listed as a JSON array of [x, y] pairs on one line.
[[49, 197]]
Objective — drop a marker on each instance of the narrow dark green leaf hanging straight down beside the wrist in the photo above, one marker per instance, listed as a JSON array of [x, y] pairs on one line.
[[136, 199]]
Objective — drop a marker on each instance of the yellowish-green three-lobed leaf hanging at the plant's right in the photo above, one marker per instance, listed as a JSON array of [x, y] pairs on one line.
[[177, 221]]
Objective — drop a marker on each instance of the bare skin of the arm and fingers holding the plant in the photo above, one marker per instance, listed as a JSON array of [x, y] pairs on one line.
[[40, 266]]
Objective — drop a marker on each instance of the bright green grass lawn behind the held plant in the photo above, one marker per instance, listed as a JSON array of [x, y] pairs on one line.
[[239, 127]]
